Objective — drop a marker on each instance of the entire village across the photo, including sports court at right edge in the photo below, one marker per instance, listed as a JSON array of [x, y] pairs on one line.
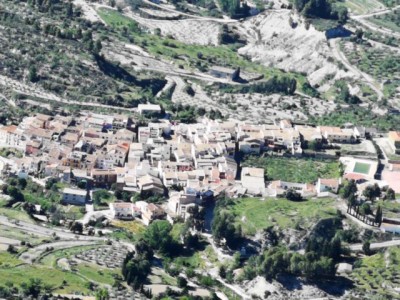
[[186, 164]]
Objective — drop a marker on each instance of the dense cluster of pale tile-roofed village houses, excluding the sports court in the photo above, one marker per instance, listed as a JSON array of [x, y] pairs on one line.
[[185, 162]]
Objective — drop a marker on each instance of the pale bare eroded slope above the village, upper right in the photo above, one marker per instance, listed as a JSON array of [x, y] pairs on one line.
[[281, 38]]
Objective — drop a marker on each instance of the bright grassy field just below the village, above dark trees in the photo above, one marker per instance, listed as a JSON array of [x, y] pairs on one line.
[[255, 214]]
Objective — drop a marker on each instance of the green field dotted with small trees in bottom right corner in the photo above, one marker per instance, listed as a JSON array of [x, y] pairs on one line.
[[377, 270]]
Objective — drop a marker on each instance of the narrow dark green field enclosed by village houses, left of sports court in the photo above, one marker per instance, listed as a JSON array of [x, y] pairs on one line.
[[295, 170]]
